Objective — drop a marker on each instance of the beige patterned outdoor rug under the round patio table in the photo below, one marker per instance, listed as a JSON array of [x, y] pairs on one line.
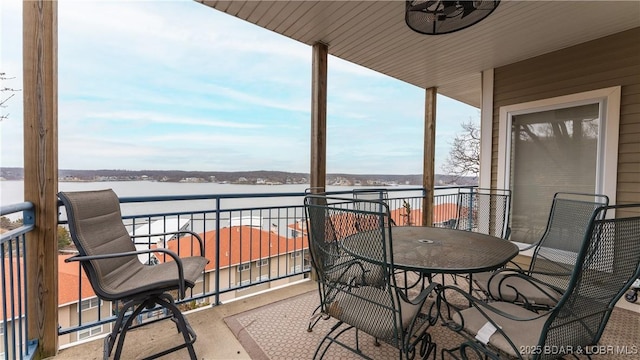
[[278, 331]]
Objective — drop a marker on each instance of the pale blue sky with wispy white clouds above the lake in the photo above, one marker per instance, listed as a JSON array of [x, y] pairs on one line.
[[176, 85]]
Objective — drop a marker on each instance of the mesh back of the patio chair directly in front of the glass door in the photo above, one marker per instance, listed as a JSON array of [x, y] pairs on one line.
[[555, 254]]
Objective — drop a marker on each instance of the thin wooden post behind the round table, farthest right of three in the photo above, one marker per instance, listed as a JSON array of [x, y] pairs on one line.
[[428, 172]]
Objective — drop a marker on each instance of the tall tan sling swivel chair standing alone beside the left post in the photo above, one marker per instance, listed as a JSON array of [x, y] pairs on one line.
[[110, 260]]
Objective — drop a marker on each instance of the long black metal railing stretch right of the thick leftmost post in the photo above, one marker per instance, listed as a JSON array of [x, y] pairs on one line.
[[253, 241]]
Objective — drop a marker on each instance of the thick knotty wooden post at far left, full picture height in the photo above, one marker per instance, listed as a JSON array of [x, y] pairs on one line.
[[40, 89]]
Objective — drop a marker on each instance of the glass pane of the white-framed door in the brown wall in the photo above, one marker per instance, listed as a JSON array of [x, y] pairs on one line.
[[551, 151]]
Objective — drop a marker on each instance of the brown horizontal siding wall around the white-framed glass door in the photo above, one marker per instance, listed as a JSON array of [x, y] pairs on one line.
[[606, 62]]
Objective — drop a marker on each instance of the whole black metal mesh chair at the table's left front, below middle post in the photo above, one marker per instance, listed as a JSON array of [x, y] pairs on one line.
[[361, 302]]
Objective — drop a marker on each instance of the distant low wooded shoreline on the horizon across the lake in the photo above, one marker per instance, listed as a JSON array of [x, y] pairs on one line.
[[238, 177]]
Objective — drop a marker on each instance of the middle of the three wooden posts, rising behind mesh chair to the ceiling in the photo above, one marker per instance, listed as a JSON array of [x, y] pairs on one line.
[[319, 117]]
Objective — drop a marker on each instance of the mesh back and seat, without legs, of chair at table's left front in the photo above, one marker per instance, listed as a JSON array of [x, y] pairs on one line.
[[360, 301]]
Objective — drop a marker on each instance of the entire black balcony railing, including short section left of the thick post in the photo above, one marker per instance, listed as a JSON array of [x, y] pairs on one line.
[[253, 241]]
